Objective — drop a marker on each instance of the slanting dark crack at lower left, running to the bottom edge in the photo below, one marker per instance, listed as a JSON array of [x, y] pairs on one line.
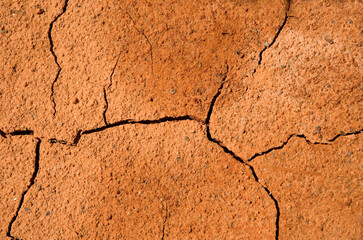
[[31, 183]]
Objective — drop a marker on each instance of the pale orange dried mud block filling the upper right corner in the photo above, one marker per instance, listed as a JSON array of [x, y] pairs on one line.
[[309, 82]]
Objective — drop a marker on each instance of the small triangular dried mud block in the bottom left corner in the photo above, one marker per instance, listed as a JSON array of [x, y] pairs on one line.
[[17, 156]]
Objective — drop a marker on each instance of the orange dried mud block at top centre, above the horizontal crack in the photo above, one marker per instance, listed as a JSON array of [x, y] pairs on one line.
[[191, 44]]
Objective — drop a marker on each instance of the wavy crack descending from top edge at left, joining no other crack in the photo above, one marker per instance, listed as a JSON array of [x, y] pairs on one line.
[[54, 55]]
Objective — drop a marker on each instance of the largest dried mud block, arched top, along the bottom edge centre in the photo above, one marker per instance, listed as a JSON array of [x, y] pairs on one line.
[[145, 182]]
